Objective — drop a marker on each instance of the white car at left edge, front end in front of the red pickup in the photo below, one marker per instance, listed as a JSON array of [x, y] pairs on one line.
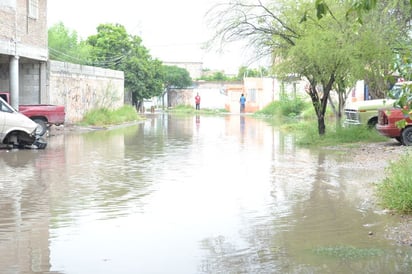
[[17, 130]]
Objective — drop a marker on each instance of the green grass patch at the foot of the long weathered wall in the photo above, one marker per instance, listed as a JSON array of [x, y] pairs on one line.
[[104, 116]]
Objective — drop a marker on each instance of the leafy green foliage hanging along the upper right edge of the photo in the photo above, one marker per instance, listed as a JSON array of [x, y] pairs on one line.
[[400, 13]]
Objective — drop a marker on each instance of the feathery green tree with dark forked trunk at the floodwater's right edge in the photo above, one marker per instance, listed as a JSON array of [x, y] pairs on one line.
[[328, 52]]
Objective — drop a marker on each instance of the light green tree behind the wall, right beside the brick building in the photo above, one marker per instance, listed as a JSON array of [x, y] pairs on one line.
[[64, 45]]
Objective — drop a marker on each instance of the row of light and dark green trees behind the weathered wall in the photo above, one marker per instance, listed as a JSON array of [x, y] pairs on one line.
[[113, 48]]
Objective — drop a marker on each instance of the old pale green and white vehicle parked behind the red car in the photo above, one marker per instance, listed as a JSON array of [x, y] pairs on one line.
[[366, 112]]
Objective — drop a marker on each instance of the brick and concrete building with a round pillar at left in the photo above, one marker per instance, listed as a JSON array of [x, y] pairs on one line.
[[24, 50]]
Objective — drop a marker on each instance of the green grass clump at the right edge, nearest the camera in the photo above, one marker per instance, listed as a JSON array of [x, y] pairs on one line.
[[395, 191]]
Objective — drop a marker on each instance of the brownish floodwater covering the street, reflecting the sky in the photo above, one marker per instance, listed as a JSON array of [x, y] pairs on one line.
[[183, 195]]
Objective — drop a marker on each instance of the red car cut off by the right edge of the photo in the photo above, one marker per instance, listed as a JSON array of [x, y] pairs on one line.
[[387, 126]]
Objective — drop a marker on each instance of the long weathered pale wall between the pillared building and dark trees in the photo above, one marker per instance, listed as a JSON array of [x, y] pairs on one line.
[[83, 88]]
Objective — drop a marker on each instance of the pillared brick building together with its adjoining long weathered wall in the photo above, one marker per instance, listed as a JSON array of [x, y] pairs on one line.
[[31, 78]]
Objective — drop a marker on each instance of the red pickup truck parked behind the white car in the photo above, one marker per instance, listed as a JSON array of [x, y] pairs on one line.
[[43, 114]]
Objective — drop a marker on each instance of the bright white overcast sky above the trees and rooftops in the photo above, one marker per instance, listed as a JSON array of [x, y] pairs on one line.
[[173, 30]]
